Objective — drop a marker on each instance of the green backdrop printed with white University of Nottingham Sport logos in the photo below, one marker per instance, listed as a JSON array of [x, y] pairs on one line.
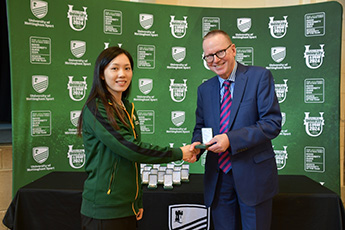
[[54, 44]]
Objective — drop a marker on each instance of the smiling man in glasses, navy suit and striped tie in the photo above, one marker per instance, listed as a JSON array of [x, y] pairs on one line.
[[241, 191]]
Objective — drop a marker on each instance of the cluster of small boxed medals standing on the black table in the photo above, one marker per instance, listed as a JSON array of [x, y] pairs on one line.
[[168, 176]]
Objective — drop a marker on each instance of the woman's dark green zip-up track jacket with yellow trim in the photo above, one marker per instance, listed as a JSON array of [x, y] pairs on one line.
[[113, 157]]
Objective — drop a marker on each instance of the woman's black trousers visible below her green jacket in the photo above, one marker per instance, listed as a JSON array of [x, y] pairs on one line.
[[125, 223]]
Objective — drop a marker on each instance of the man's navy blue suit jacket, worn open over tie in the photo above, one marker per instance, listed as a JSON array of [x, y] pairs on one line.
[[255, 120]]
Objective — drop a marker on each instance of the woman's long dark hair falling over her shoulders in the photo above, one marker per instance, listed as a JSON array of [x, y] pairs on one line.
[[99, 89]]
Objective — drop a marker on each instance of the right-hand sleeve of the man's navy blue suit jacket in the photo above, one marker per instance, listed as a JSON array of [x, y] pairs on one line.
[[259, 119]]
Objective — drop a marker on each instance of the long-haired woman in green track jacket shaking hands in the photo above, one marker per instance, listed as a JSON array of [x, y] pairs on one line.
[[111, 134]]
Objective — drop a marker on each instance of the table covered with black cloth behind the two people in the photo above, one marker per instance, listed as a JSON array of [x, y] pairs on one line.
[[53, 202]]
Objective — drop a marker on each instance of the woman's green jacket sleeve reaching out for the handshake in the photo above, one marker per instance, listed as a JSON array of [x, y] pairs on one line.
[[122, 141]]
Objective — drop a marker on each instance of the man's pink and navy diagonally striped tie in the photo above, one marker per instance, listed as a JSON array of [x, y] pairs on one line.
[[224, 157]]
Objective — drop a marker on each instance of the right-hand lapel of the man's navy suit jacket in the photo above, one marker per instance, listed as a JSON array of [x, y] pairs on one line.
[[240, 85]]
